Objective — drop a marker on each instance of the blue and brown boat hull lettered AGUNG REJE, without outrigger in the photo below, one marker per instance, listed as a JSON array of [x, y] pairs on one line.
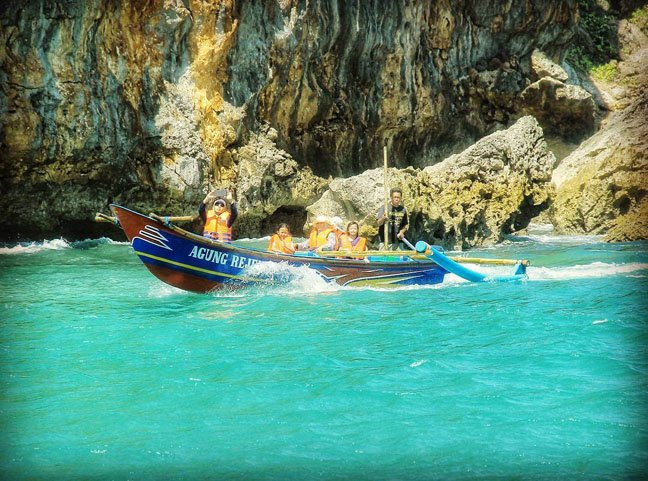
[[198, 264]]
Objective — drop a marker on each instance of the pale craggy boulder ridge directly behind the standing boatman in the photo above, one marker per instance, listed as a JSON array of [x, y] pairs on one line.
[[469, 199]]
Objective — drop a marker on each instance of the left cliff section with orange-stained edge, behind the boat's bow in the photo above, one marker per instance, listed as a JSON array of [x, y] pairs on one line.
[[97, 107]]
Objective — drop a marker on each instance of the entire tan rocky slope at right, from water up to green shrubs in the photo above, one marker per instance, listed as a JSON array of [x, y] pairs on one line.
[[602, 186]]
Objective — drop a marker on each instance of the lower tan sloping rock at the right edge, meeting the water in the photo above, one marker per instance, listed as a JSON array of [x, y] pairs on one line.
[[603, 184]]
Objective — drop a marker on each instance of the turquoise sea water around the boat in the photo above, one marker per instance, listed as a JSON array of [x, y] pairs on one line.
[[107, 373]]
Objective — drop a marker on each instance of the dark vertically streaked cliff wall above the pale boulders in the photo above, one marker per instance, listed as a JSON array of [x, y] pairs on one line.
[[426, 77]]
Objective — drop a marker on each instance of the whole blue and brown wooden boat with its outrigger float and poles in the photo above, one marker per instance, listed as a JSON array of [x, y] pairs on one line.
[[194, 263]]
